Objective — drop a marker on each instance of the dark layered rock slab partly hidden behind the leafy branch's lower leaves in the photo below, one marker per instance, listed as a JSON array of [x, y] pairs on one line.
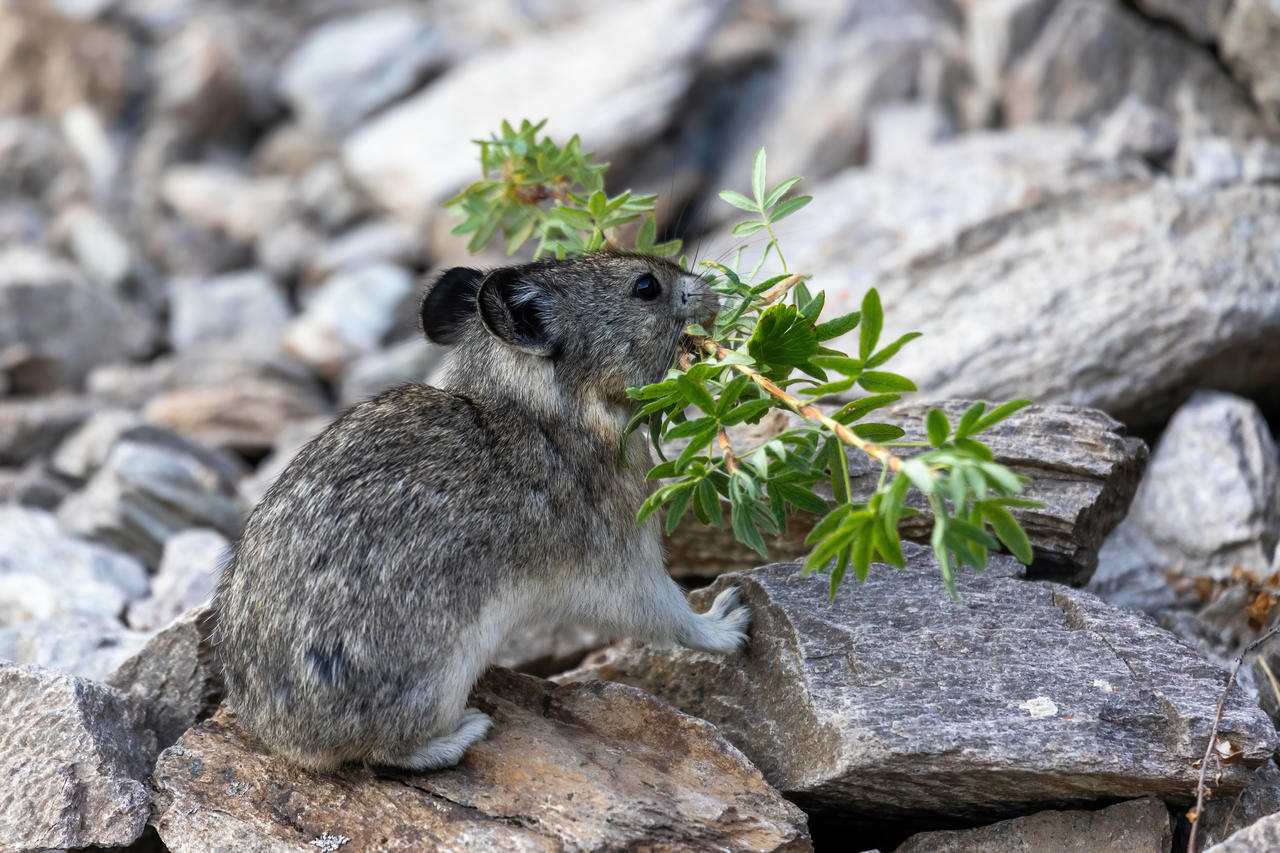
[[1085, 469]]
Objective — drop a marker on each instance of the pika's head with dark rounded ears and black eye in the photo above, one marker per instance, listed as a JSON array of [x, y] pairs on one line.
[[604, 321]]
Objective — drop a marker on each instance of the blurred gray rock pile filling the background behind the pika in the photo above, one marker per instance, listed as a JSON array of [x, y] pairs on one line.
[[216, 217]]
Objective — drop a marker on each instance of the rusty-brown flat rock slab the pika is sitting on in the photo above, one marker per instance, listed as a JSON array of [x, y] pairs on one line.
[[583, 768]]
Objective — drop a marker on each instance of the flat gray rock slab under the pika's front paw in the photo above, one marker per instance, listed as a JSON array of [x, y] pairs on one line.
[[895, 704]]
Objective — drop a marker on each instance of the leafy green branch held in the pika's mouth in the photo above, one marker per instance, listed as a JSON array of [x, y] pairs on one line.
[[767, 349]]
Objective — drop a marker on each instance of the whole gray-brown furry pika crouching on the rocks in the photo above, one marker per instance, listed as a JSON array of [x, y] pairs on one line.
[[378, 576]]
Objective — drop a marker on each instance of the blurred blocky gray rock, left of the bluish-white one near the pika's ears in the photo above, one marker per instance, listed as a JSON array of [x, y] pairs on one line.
[[246, 308]]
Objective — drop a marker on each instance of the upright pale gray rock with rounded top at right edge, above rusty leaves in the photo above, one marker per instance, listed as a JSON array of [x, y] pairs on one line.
[[1208, 508]]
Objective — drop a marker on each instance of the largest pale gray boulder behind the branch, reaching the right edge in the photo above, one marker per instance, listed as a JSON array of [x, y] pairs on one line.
[[1028, 227]]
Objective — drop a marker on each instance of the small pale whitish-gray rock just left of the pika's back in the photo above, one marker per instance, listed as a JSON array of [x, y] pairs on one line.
[[189, 573]]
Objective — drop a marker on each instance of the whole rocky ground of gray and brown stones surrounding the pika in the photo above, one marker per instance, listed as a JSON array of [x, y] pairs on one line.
[[213, 222]]
